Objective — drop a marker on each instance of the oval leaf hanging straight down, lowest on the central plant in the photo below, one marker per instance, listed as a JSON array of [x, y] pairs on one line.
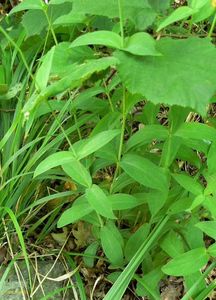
[[111, 246]]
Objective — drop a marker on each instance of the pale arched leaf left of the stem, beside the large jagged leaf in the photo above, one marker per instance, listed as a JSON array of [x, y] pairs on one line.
[[102, 37]]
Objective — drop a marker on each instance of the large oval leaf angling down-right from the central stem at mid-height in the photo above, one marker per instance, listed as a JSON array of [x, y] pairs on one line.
[[144, 171]]
